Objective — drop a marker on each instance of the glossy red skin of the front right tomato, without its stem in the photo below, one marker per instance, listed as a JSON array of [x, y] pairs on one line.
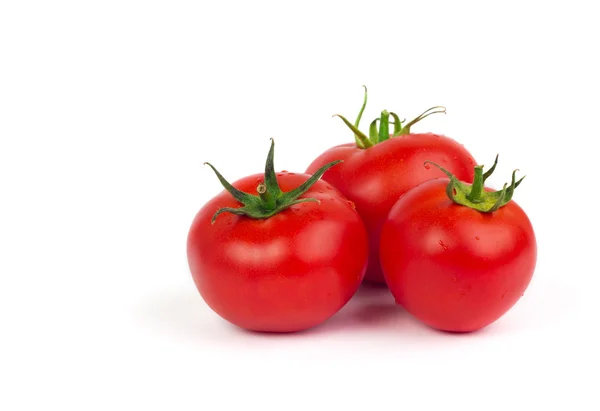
[[452, 267]]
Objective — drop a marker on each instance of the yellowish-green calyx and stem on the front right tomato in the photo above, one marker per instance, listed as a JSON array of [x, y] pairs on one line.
[[474, 195]]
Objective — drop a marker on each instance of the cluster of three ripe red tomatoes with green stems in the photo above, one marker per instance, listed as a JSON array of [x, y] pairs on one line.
[[283, 252]]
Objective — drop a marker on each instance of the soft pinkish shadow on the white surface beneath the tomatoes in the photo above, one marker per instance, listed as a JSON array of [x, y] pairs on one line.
[[372, 310]]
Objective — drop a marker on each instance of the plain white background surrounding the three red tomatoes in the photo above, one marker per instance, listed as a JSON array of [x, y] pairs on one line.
[[107, 112]]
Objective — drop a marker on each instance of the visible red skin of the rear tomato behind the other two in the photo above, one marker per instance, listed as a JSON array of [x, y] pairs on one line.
[[375, 178]]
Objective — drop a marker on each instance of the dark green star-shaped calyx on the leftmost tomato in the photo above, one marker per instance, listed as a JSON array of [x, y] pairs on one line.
[[270, 199]]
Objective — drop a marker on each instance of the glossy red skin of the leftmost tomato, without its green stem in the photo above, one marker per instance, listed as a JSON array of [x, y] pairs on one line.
[[287, 273]]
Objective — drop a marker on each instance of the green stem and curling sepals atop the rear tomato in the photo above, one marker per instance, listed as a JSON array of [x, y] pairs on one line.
[[382, 133]]
